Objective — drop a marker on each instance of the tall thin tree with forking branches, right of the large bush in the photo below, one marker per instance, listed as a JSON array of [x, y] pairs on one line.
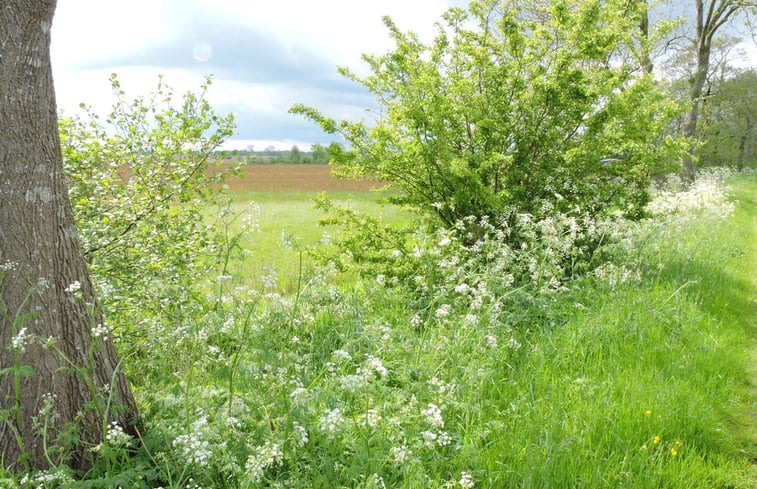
[[711, 15]]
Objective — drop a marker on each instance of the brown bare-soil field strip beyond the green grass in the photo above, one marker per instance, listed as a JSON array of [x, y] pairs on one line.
[[287, 177]]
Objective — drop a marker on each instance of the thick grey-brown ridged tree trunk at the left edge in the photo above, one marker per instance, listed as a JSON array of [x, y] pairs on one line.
[[55, 373]]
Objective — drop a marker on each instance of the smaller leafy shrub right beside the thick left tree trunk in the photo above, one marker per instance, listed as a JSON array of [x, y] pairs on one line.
[[140, 182]]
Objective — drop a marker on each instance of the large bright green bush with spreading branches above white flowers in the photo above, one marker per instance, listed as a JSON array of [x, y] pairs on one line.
[[500, 116]]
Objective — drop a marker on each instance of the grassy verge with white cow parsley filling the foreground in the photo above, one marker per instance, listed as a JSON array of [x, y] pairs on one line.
[[639, 383]]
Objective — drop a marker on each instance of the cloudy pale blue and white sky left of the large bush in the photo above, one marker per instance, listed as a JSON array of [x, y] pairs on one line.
[[264, 56]]
